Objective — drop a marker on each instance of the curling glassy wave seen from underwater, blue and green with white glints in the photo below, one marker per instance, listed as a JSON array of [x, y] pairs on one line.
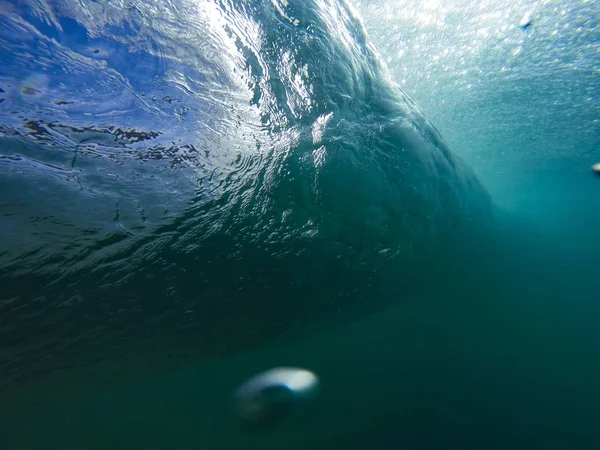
[[192, 178]]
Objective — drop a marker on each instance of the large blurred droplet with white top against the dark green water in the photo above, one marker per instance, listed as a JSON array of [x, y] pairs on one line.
[[270, 395]]
